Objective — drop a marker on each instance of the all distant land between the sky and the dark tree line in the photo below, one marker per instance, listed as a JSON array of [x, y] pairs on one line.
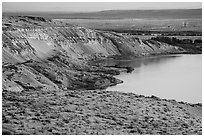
[[145, 20]]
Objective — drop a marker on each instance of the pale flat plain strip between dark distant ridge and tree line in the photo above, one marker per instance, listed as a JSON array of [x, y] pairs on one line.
[[139, 24]]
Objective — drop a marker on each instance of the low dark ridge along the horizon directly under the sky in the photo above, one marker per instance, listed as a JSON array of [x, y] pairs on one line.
[[120, 14]]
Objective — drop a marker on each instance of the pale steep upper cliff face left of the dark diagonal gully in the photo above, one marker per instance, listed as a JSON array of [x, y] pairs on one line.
[[75, 42]]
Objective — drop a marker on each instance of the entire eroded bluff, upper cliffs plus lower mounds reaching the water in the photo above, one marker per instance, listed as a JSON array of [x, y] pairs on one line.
[[47, 55]]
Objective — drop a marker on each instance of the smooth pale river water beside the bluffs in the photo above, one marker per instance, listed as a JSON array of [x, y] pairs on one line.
[[176, 77]]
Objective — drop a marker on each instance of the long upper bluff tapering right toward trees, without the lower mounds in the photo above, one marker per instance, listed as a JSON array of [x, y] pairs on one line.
[[76, 42]]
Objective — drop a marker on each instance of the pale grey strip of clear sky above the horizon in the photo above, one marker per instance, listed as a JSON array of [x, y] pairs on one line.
[[93, 6]]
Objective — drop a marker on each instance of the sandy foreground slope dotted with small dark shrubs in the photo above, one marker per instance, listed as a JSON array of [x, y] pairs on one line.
[[96, 112]]
